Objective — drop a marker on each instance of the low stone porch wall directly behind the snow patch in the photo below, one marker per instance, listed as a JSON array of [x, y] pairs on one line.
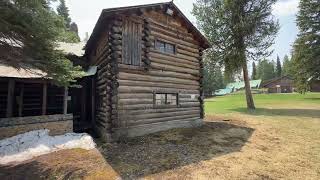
[[57, 124]]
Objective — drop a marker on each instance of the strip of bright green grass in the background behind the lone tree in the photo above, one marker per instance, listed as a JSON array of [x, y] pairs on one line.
[[237, 102]]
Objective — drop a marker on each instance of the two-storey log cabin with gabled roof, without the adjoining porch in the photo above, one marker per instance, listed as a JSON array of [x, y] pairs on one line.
[[149, 76]]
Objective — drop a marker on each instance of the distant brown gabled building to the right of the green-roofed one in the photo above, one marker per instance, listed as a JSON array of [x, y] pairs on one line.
[[283, 84]]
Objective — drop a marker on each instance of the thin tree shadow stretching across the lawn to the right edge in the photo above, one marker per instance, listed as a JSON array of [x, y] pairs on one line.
[[311, 113]]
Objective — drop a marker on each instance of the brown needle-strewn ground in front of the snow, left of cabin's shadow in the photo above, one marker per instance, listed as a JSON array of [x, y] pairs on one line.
[[64, 164]]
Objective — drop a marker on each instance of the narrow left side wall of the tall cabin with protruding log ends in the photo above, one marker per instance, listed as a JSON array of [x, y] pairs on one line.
[[106, 55]]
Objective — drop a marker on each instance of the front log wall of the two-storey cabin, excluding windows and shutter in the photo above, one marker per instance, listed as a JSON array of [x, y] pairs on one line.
[[162, 73]]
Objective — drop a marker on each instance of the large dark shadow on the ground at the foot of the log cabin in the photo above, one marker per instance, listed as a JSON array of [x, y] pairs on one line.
[[149, 154]]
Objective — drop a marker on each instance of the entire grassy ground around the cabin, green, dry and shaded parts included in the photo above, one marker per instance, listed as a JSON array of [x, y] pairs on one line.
[[279, 140]]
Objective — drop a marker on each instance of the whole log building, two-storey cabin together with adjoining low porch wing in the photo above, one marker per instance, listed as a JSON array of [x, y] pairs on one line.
[[144, 74]]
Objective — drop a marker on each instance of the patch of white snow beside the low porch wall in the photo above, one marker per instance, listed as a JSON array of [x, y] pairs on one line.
[[35, 143]]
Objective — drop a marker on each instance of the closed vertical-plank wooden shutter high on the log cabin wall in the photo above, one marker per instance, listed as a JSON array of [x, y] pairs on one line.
[[131, 42]]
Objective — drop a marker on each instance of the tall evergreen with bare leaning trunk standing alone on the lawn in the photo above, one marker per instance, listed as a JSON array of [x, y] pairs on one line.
[[238, 31]]
